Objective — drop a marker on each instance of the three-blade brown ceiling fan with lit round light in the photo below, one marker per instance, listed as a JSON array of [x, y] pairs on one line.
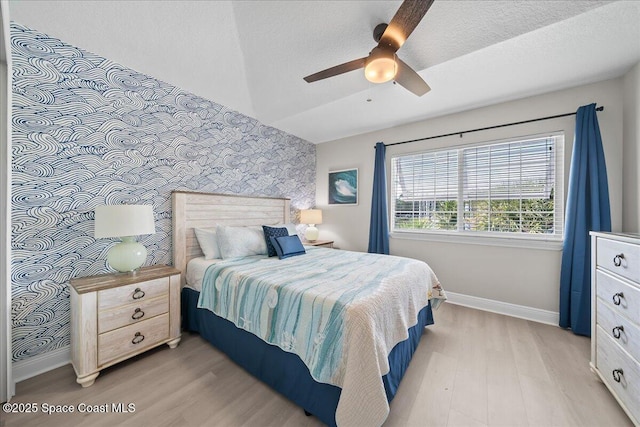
[[382, 64]]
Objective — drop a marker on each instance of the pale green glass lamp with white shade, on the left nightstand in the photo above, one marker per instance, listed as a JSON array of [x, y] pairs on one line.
[[125, 222]]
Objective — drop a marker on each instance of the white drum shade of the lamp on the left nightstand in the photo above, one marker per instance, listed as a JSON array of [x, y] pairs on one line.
[[124, 220]]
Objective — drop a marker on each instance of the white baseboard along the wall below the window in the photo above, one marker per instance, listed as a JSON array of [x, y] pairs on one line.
[[514, 310]]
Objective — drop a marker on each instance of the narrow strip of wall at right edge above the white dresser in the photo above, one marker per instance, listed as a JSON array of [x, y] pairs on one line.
[[631, 151]]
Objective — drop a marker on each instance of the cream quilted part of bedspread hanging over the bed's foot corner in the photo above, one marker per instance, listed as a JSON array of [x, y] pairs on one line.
[[374, 327]]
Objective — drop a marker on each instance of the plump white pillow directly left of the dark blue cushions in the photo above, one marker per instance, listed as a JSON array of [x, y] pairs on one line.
[[240, 241]]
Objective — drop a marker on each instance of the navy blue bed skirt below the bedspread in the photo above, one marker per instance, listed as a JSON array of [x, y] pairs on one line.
[[285, 372]]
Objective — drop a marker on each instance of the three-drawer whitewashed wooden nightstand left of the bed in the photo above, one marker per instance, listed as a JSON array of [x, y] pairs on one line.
[[117, 316]]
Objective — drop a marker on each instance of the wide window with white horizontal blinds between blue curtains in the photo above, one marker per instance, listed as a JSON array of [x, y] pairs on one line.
[[507, 189]]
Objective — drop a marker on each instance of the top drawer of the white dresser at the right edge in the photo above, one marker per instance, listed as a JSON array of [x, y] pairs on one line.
[[619, 257]]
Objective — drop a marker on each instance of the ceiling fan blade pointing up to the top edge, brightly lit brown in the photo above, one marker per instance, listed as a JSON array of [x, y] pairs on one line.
[[404, 22]]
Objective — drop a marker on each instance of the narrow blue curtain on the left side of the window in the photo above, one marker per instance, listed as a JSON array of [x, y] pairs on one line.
[[379, 227]]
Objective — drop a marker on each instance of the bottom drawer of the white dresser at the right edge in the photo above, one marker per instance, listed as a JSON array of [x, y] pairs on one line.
[[611, 357]]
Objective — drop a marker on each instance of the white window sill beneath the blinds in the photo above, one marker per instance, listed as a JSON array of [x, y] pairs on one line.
[[482, 239]]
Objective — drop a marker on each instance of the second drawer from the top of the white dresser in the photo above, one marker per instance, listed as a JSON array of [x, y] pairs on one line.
[[622, 297]]
